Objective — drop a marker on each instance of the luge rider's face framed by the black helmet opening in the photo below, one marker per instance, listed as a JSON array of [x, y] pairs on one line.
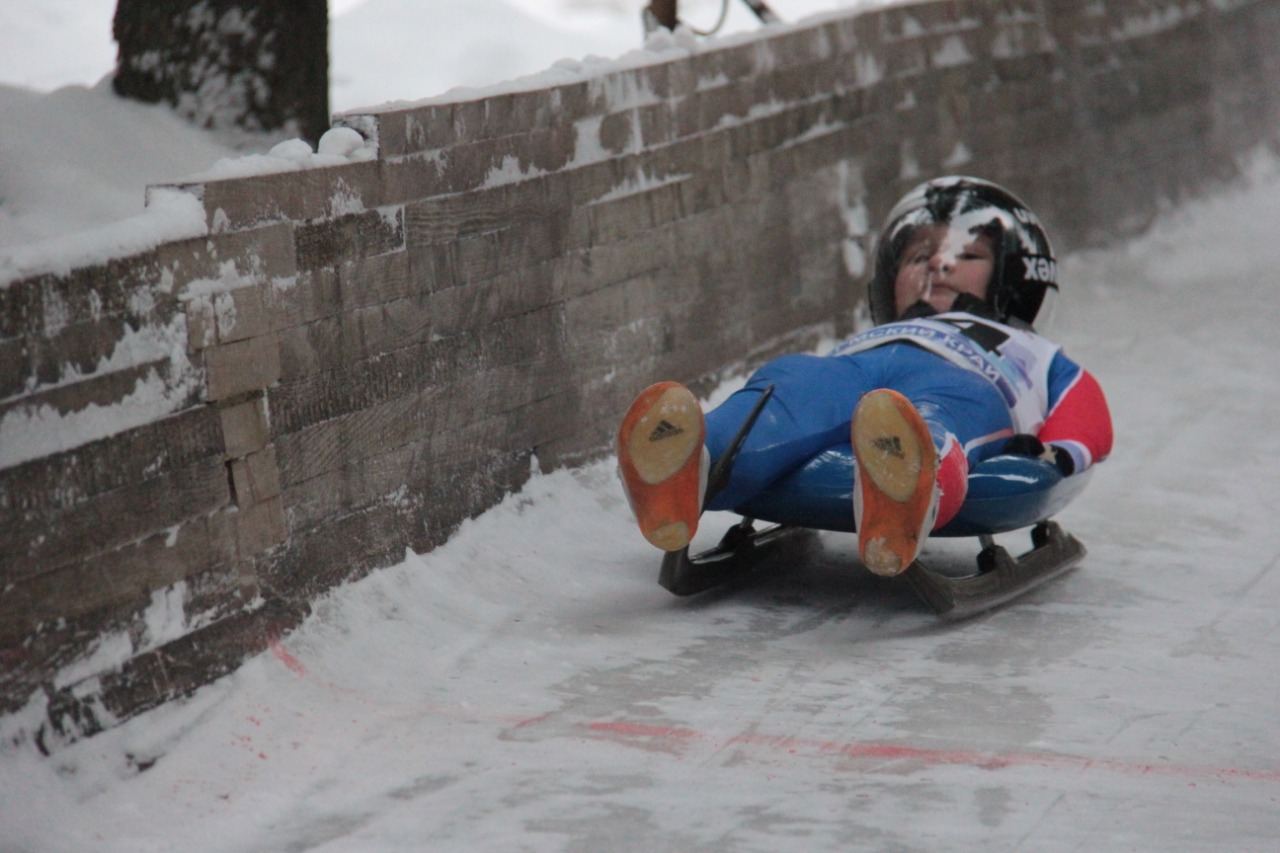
[[939, 264]]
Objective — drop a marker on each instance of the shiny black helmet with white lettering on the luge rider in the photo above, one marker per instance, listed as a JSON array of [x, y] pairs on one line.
[[1025, 264]]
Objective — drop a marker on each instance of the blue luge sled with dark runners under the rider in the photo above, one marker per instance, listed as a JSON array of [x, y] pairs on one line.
[[1007, 494]]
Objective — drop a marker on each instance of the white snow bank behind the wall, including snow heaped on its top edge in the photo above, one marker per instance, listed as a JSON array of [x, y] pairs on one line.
[[80, 159]]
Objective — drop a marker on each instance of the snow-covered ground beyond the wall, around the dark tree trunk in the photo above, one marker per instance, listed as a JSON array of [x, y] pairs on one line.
[[74, 156]]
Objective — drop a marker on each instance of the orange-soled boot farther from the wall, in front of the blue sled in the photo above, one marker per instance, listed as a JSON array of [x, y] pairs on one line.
[[895, 489]]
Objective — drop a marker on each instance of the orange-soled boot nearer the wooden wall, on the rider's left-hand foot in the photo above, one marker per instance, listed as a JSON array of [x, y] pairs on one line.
[[664, 463]]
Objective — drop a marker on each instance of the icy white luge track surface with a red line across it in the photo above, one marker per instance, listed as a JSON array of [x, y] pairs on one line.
[[529, 687]]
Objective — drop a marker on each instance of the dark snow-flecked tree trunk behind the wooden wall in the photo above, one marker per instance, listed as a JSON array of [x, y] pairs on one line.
[[249, 65]]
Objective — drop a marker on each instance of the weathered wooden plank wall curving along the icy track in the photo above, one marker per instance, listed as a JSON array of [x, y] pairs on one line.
[[207, 436]]
